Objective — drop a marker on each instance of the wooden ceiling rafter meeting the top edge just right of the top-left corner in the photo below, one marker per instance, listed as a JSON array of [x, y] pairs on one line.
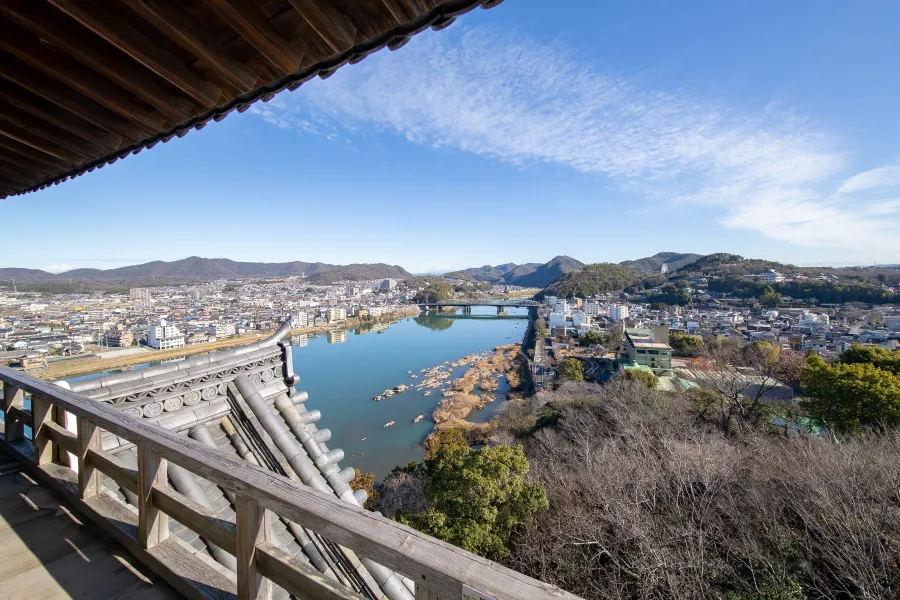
[[128, 39]]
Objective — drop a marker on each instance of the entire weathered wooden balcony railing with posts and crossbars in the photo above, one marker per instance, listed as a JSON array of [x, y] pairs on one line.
[[74, 464]]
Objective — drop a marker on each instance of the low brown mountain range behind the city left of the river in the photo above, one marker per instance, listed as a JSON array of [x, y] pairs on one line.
[[195, 268]]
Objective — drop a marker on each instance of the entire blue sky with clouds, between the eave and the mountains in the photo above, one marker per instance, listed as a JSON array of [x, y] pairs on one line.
[[601, 130]]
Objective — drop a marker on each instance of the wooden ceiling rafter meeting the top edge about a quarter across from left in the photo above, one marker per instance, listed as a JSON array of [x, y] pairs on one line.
[[249, 22]]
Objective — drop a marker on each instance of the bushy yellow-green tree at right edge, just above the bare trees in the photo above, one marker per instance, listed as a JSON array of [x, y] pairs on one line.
[[847, 397]]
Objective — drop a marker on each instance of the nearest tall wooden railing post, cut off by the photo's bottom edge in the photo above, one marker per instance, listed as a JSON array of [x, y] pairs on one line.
[[252, 528]]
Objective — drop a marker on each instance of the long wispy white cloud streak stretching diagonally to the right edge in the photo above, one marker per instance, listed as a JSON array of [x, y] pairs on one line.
[[512, 99]]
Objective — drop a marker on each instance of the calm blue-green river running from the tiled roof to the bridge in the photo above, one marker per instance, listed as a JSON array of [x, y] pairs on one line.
[[343, 372]]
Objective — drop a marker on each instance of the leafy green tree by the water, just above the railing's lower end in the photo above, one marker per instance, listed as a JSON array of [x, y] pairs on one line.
[[476, 498]]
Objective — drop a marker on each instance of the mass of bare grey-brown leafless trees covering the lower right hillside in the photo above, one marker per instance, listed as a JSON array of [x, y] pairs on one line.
[[646, 505]]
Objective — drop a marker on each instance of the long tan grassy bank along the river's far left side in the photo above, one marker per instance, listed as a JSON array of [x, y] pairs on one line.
[[83, 366]]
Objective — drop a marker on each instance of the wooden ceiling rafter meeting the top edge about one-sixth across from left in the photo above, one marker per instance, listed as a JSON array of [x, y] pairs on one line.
[[169, 18]]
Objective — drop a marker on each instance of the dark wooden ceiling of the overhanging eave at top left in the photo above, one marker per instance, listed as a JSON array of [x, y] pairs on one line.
[[85, 83]]
